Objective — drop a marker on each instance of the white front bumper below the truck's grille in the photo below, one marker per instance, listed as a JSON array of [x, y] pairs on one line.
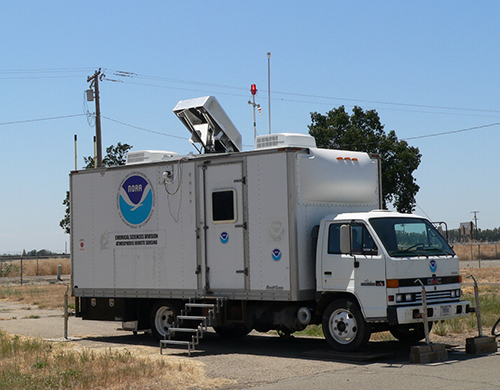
[[435, 312]]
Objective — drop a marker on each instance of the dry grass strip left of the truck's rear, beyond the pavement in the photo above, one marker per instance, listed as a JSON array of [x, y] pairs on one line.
[[45, 297]]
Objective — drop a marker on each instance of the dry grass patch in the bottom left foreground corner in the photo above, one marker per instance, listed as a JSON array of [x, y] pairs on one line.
[[30, 363]]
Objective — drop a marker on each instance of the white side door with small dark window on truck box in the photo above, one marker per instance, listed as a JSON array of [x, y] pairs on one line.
[[224, 226]]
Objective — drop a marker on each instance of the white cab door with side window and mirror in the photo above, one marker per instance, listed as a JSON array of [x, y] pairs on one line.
[[361, 273]]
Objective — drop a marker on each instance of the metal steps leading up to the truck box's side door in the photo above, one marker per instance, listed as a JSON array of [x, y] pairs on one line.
[[204, 322]]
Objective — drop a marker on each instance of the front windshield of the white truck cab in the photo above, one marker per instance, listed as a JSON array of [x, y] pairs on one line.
[[410, 237]]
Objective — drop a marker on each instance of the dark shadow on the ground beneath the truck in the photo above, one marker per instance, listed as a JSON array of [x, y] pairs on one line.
[[389, 352]]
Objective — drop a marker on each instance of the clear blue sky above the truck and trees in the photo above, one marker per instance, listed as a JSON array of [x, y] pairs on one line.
[[427, 67]]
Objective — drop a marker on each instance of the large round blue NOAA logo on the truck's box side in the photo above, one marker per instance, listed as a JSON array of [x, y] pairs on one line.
[[135, 199]]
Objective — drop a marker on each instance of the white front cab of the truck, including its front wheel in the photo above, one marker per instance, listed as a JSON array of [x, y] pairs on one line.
[[371, 268]]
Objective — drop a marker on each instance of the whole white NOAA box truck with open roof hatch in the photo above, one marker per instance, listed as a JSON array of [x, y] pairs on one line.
[[253, 240]]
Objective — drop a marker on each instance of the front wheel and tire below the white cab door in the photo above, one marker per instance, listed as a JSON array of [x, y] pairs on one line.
[[344, 327]]
